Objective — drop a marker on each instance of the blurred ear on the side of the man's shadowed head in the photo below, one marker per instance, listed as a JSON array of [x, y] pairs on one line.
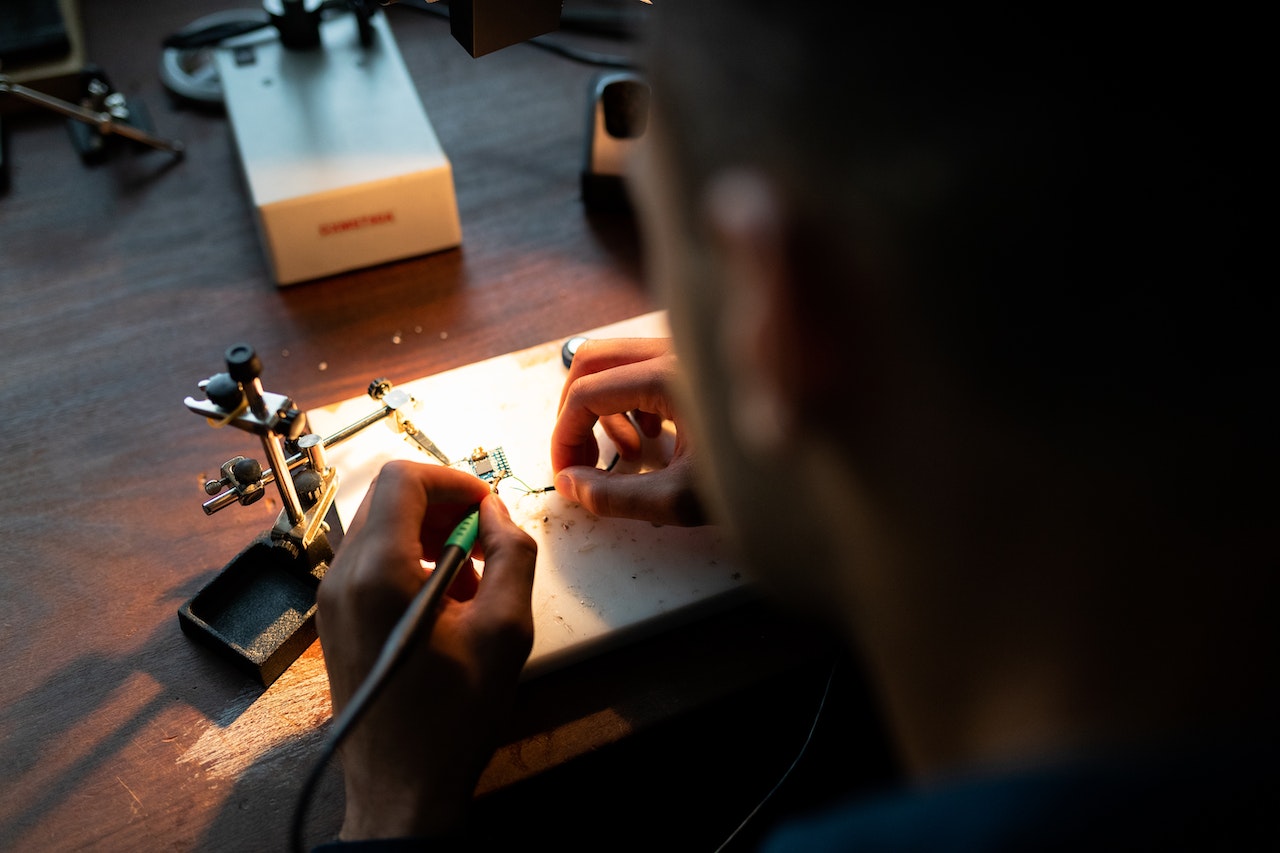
[[760, 334]]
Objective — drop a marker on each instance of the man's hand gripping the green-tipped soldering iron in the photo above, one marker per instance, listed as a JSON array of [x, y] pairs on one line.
[[413, 764]]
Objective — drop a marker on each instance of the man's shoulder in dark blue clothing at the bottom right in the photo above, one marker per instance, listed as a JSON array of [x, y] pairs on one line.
[[1186, 797]]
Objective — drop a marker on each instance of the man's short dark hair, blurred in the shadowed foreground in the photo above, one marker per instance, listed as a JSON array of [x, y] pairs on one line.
[[1063, 194]]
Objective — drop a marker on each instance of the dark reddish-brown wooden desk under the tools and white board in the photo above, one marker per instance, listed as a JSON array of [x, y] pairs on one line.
[[122, 286]]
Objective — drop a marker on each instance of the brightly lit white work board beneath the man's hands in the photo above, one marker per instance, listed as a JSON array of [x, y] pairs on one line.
[[600, 581]]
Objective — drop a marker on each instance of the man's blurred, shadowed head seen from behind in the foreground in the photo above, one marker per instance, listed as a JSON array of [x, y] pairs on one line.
[[966, 303]]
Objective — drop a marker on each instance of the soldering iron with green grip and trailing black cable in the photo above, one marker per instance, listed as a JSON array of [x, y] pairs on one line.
[[418, 618]]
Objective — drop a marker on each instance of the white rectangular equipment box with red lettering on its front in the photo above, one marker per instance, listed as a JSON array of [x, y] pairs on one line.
[[342, 165]]
